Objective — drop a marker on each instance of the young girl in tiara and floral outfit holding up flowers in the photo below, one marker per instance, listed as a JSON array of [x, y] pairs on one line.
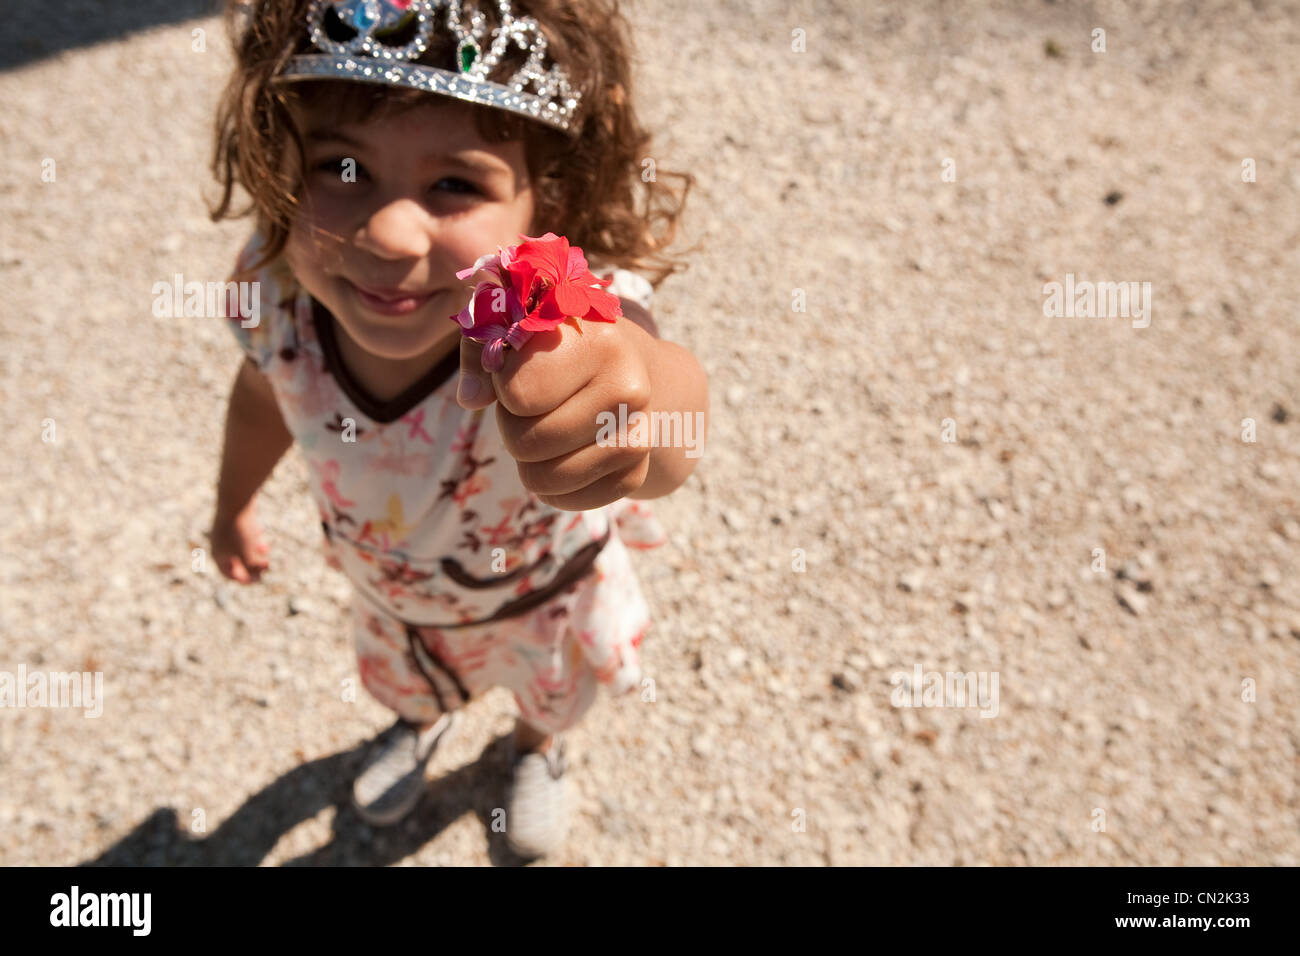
[[387, 146]]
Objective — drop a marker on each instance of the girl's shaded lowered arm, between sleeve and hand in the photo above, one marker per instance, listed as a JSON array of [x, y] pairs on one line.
[[255, 440]]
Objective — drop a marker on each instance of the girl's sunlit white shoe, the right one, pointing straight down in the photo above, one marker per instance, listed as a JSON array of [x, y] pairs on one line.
[[538, 807]]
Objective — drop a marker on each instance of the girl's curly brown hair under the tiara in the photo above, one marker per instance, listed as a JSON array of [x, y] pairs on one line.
[[588, 183]]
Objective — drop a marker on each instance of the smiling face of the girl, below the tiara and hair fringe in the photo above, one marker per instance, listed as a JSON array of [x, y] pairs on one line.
[[380, 246]]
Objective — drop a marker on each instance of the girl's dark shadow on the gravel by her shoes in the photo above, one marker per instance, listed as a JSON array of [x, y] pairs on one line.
[[250, 834]]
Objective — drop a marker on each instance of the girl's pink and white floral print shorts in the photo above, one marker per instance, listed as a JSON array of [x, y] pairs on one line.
[[553, 657]]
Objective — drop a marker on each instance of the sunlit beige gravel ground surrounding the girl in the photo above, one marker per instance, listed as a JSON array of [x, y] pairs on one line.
[[1147, 713]]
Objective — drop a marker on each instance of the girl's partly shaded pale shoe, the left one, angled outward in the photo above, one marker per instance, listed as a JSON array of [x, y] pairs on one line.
[[392, 778]]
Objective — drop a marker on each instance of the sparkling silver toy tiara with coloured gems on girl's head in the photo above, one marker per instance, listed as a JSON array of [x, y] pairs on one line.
[[367, 58]]
